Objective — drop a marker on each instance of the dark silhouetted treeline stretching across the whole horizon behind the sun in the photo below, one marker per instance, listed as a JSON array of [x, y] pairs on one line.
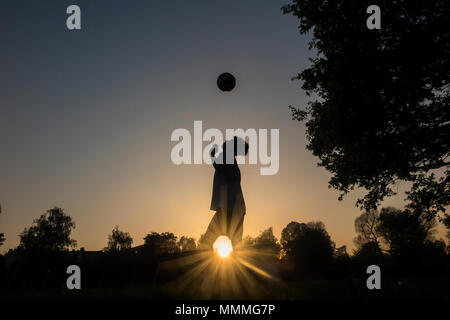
[[304, 263]]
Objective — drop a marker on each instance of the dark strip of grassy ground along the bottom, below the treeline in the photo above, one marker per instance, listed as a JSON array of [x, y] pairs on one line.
[[428, 288]]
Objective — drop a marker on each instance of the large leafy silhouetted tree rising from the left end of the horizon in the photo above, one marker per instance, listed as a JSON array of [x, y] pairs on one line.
[[50, 231]]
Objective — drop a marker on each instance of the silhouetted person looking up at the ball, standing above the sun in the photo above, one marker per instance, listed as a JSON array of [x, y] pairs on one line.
[[227, 198]]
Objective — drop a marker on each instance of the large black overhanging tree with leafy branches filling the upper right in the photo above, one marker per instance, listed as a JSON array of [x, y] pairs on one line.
[[380, 113]]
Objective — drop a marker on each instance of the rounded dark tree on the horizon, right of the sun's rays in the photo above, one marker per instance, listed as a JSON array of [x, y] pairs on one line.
[[309, 246]]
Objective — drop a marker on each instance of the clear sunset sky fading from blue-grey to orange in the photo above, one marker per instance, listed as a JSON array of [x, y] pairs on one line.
[[86, 116]]
